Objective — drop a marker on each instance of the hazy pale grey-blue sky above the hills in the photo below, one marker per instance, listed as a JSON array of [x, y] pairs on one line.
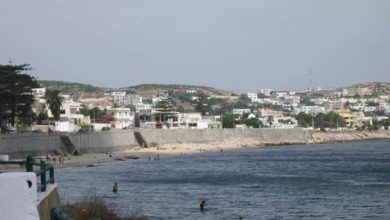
[[241, 45]]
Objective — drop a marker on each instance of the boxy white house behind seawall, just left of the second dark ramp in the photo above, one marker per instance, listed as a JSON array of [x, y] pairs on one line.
[[123, 117]]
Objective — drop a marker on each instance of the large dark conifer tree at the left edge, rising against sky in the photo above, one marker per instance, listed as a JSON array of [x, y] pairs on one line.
[[15, 94]]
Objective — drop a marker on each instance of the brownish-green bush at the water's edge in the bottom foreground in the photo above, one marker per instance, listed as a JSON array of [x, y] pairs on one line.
[[92, 207]]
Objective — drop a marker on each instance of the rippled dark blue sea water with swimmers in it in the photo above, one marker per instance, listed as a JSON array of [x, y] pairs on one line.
[[331, 181]]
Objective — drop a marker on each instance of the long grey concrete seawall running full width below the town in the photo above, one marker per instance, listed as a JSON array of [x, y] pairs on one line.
[[21, 145]]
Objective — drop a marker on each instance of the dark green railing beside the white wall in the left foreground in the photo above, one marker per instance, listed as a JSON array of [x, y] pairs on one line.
[[30, 162]]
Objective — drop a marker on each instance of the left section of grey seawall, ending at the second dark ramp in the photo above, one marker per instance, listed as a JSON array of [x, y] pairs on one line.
[[21, 145]]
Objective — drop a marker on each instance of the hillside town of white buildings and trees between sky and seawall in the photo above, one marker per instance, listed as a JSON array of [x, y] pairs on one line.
[[84, 108]]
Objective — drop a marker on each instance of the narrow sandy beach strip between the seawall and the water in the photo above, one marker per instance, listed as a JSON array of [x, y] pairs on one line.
[[174, 149]]
